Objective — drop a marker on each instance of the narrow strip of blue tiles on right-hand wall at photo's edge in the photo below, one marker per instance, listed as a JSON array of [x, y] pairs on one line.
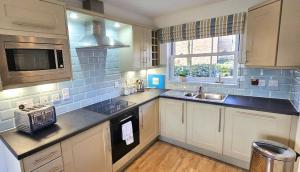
[[295, 89]]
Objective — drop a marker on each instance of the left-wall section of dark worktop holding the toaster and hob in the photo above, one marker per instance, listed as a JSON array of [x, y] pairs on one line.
[[68, 125]]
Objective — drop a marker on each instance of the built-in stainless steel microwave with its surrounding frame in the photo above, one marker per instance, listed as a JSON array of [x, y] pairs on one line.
[[27, 61]]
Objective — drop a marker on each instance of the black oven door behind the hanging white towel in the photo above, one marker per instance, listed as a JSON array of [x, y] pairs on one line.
[[119, 147]]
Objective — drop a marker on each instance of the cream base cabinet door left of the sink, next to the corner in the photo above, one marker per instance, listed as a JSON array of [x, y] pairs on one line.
[[173, 119]]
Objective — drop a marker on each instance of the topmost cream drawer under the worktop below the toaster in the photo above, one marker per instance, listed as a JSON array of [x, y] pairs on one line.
[[41, 158]]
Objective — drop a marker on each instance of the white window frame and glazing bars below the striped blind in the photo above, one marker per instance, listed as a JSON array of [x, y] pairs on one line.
[[229, 80]]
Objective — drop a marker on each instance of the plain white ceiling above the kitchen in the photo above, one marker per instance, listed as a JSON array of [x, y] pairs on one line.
[[155, 8]]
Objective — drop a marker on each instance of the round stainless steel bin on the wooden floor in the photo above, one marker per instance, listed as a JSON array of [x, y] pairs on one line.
[[270, 156]]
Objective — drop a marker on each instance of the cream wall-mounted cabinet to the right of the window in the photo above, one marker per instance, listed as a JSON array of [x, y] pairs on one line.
[[272, 37]]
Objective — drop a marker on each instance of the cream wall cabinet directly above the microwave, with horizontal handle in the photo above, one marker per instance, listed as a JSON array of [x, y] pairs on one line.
[[36, 16]]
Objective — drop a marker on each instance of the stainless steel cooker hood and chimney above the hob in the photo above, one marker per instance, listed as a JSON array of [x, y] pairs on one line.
[[95, 30]]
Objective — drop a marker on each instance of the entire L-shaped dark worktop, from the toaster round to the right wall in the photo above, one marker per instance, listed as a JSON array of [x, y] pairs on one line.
[[75, 122]]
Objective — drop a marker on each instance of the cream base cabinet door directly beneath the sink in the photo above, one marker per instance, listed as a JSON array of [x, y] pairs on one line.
[[205, 126]]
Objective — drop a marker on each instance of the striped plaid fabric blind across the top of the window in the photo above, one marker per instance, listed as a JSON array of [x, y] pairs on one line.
[[219, 26]]
